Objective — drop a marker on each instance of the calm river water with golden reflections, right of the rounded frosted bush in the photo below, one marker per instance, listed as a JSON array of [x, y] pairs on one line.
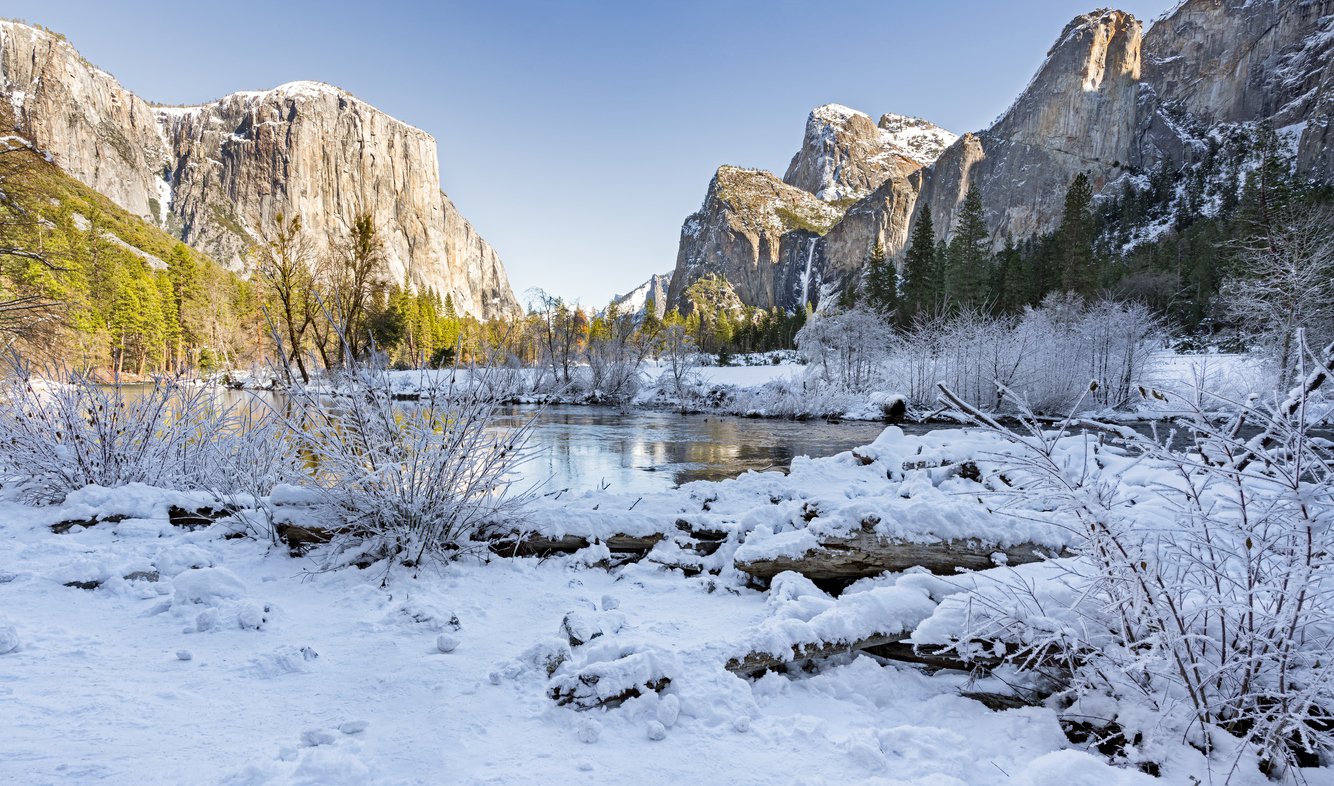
[[592, 448]]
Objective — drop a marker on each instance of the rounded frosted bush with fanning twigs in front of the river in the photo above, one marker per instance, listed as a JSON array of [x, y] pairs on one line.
[[409, 480]]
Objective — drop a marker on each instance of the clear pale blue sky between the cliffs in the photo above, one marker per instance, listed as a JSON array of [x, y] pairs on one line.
[[578, 135]]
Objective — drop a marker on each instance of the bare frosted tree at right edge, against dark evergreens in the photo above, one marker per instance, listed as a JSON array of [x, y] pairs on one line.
[[1288, 284]]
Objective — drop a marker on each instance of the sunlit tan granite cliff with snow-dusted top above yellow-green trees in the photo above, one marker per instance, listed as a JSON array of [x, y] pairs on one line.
[[218, 174]]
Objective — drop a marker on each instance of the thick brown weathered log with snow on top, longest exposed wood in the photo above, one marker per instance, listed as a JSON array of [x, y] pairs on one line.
[[866, 554]]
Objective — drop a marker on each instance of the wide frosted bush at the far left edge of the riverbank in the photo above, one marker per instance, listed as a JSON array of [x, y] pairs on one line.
[[65, 432]]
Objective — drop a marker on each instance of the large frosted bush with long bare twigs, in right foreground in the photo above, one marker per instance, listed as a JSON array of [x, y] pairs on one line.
[[1204, 585]]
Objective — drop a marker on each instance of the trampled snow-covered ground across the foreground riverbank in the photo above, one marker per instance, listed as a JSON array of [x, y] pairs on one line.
[[202, 659]]
